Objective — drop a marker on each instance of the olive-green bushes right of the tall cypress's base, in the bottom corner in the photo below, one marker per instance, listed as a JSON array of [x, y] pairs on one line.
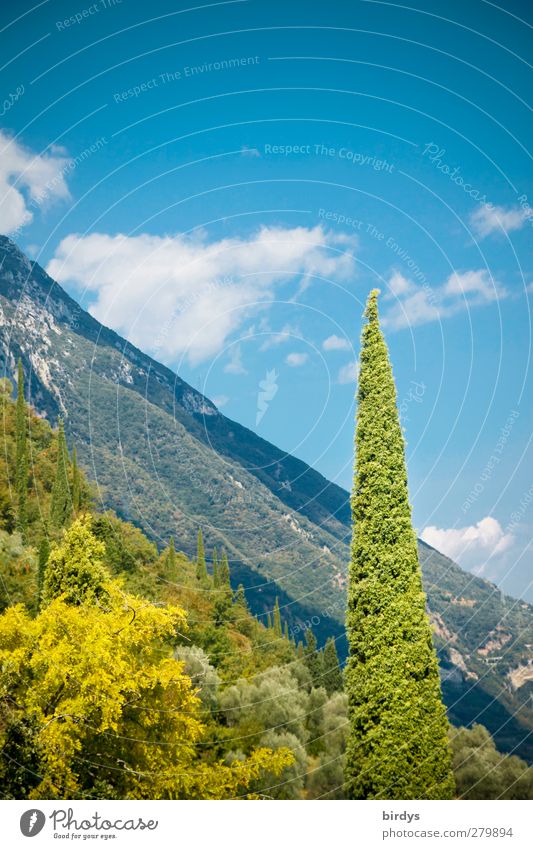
[[481, 772]]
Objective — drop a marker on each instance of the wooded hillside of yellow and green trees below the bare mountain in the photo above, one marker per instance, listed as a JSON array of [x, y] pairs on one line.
[[129, 672]]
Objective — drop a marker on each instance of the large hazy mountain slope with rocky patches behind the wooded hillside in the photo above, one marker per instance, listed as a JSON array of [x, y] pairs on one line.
[[164, 457]]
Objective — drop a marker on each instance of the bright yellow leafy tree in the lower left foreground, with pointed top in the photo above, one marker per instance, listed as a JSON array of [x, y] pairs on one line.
[[96, 704]]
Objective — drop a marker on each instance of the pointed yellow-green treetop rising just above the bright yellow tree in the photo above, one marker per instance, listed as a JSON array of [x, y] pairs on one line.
[[74, 570]]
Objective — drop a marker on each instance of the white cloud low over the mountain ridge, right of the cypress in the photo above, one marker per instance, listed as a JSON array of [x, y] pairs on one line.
[[487, 539]]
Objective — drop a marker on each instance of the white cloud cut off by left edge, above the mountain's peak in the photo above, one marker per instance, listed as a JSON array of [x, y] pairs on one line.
[[27, 181]]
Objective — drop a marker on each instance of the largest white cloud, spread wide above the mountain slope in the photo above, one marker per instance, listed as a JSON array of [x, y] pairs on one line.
[[184, 296]]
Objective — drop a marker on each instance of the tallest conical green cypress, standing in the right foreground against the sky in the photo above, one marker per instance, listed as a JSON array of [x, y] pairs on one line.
[[397, 748]]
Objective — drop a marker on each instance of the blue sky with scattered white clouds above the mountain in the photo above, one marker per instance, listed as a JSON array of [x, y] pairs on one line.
[[223, 185]]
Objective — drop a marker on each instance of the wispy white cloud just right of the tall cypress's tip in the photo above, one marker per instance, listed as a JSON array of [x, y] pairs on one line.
[[416, 305]]
